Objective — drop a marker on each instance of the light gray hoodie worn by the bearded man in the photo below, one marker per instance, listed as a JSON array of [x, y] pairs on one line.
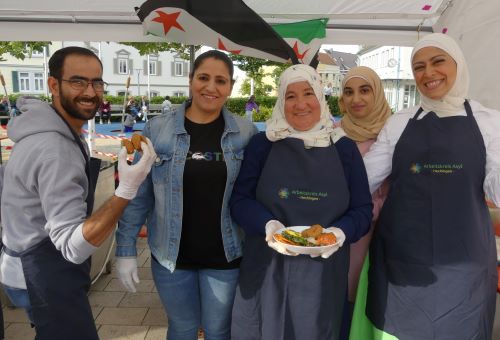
[[44, 189]]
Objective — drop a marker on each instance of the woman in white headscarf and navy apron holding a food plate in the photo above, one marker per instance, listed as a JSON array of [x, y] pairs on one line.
[[301, 171]]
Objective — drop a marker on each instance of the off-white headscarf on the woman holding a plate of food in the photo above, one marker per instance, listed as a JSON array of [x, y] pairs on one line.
[[323, 133]]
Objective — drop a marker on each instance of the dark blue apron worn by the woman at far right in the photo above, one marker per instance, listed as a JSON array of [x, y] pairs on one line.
[[433, 258]]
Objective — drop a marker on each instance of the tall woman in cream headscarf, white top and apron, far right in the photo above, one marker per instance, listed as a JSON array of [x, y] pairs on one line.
[[417, 252]]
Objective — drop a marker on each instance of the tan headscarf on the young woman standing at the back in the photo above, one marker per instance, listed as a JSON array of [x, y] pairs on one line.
[[362, 129]]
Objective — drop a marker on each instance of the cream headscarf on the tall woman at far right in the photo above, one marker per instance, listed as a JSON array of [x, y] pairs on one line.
[[453, 101]]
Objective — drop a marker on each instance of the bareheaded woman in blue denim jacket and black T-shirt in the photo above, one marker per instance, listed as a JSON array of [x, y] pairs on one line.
[[195, 245]]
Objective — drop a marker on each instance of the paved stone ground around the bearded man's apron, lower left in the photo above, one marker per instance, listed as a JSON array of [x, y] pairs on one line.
[[119, 315]]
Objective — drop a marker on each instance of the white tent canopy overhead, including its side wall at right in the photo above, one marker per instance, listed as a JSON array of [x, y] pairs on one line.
[[475, 25]]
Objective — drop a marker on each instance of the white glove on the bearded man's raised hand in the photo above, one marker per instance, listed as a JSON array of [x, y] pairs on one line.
[[131, 176]]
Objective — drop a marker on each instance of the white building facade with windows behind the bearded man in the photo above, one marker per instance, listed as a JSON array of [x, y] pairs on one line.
[[157, 74]]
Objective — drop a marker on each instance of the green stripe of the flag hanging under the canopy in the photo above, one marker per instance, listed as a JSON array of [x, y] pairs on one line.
[[305, 31]]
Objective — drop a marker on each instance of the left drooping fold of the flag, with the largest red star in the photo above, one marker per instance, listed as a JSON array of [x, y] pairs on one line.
[[228, 25]]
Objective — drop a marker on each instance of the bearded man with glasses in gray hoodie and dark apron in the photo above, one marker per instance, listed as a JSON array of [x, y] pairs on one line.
[[49, 230]]
